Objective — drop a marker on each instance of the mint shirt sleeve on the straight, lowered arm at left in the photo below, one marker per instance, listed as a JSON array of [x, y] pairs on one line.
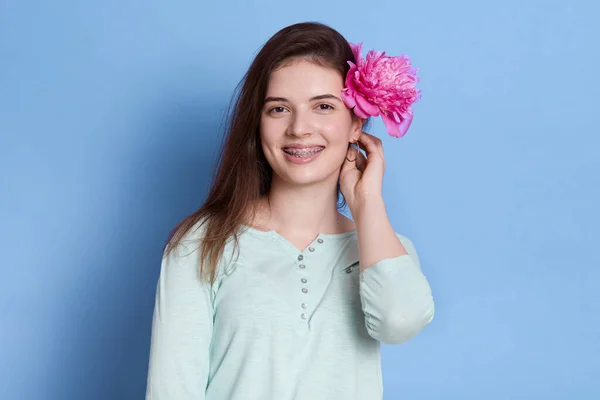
[[181, 330]]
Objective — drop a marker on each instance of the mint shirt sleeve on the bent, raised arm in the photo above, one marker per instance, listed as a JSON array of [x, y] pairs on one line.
[[396, 297]]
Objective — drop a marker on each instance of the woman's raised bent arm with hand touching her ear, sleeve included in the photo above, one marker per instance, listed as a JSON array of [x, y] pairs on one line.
[[396, 297]]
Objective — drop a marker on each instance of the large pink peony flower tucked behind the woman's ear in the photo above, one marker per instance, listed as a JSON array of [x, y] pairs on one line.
[[382, 85]]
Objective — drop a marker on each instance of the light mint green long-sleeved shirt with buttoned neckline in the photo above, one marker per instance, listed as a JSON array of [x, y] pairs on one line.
[[280, 324]]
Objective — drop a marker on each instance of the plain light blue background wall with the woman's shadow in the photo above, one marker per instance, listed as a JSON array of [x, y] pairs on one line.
[[110, 118]]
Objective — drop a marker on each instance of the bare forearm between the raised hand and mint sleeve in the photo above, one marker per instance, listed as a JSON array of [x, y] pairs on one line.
[[377, 239]]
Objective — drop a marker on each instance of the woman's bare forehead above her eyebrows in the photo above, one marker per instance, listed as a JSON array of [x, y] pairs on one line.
[[302, 78]]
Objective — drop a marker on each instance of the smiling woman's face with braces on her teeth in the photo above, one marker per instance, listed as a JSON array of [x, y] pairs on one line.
[[305, 126]]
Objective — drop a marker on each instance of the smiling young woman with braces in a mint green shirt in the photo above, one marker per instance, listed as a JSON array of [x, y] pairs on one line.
[[267, 291]]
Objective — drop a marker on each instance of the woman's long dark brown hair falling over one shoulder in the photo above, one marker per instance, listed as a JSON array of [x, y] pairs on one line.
[[243, 174]]
